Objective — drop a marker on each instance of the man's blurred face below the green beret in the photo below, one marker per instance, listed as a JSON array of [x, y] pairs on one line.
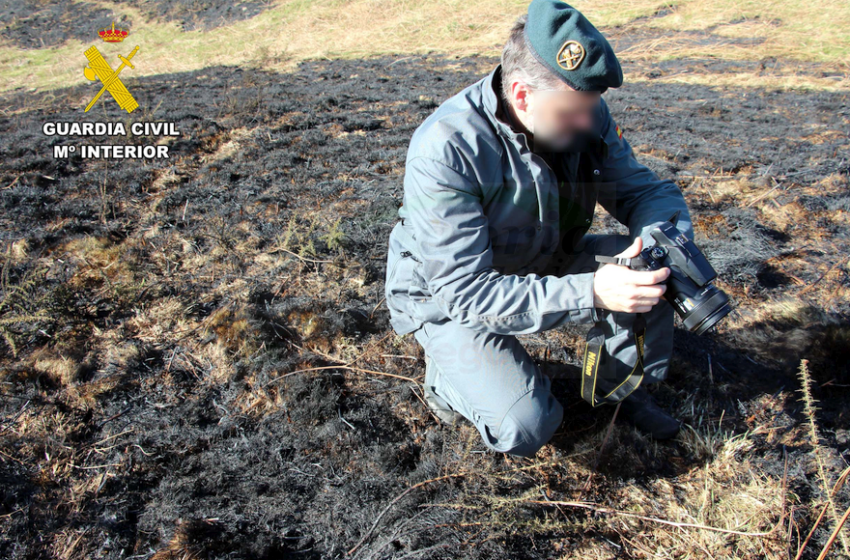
[[555, 117]]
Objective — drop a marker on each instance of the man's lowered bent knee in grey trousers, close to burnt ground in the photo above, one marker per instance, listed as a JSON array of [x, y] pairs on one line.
[[530, 422]]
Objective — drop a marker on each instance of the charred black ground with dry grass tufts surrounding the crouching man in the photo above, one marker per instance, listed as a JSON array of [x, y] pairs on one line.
[[157, 318]]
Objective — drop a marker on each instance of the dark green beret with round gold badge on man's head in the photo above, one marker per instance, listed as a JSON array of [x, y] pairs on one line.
[[561, 38]]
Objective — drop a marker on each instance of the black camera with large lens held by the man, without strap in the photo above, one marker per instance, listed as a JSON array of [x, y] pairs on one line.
[[689, 289]]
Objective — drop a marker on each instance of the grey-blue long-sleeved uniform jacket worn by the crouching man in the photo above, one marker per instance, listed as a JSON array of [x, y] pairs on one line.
[[480, 227]]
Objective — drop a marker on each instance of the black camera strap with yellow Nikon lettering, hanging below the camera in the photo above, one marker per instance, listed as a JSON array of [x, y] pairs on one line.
[[590, 367]]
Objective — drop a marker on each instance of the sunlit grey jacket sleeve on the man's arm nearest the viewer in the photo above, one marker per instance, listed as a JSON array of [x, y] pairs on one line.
[[452, 241]]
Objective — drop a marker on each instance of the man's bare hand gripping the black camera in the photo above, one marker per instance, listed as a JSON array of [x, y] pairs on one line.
[[619, 288]]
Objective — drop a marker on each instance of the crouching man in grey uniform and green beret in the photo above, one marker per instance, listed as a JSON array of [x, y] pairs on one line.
[[500, 188]]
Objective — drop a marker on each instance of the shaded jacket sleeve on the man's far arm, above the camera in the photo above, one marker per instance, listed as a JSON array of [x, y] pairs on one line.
[[633, 193]]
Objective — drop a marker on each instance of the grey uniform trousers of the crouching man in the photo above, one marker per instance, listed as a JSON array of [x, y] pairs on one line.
[[491, 379]]
